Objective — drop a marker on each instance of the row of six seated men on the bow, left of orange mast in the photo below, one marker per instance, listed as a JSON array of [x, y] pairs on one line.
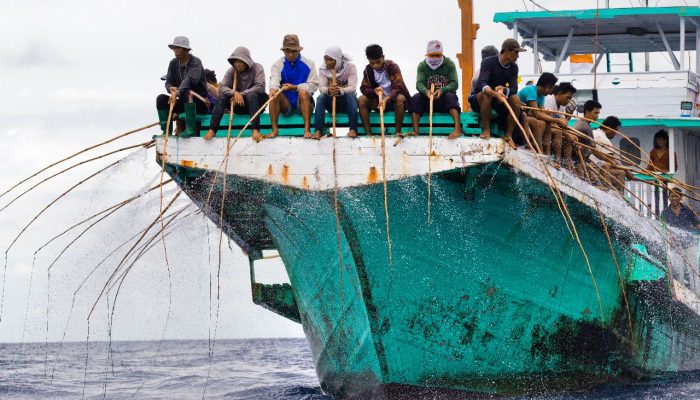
[[294, 79]]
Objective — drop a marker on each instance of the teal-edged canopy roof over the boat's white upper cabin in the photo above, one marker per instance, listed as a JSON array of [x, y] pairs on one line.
[[620, 30]]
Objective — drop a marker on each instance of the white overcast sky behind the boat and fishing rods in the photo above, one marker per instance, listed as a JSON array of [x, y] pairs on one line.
[[77, 72]]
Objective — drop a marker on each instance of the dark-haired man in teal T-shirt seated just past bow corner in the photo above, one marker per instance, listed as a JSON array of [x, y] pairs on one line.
[[540, 122]]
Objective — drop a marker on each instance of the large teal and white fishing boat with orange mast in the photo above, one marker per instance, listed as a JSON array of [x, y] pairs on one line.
[[440, 268]]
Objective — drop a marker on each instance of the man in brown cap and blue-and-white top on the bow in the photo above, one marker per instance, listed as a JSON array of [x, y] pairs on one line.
[[296, 76]]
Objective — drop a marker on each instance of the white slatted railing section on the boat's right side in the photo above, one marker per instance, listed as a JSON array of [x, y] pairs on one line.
[[648, 198]]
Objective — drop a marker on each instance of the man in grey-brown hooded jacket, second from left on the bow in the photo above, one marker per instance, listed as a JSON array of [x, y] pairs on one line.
[[248, 95]]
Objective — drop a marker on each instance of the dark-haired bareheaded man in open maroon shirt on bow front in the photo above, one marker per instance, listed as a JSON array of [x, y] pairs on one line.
[[382, 76]]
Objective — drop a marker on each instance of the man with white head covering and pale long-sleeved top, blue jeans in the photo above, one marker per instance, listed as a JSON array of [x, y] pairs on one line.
[[343, 90]]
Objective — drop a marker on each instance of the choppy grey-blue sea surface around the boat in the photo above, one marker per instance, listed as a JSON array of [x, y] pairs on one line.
[[273, 369]]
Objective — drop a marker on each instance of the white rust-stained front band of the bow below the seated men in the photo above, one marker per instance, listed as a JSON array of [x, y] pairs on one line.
[[308, 164]]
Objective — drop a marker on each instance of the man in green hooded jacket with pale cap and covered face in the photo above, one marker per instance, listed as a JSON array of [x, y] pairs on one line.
[[438, 71]]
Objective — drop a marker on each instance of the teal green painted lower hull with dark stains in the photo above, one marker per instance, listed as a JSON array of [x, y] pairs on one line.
[[492, 296]]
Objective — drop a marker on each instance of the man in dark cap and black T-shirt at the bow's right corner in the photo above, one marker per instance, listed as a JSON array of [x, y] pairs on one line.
[[498, 81]]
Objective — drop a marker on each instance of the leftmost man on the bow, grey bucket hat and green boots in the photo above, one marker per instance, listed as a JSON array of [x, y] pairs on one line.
[[185, 75]]
